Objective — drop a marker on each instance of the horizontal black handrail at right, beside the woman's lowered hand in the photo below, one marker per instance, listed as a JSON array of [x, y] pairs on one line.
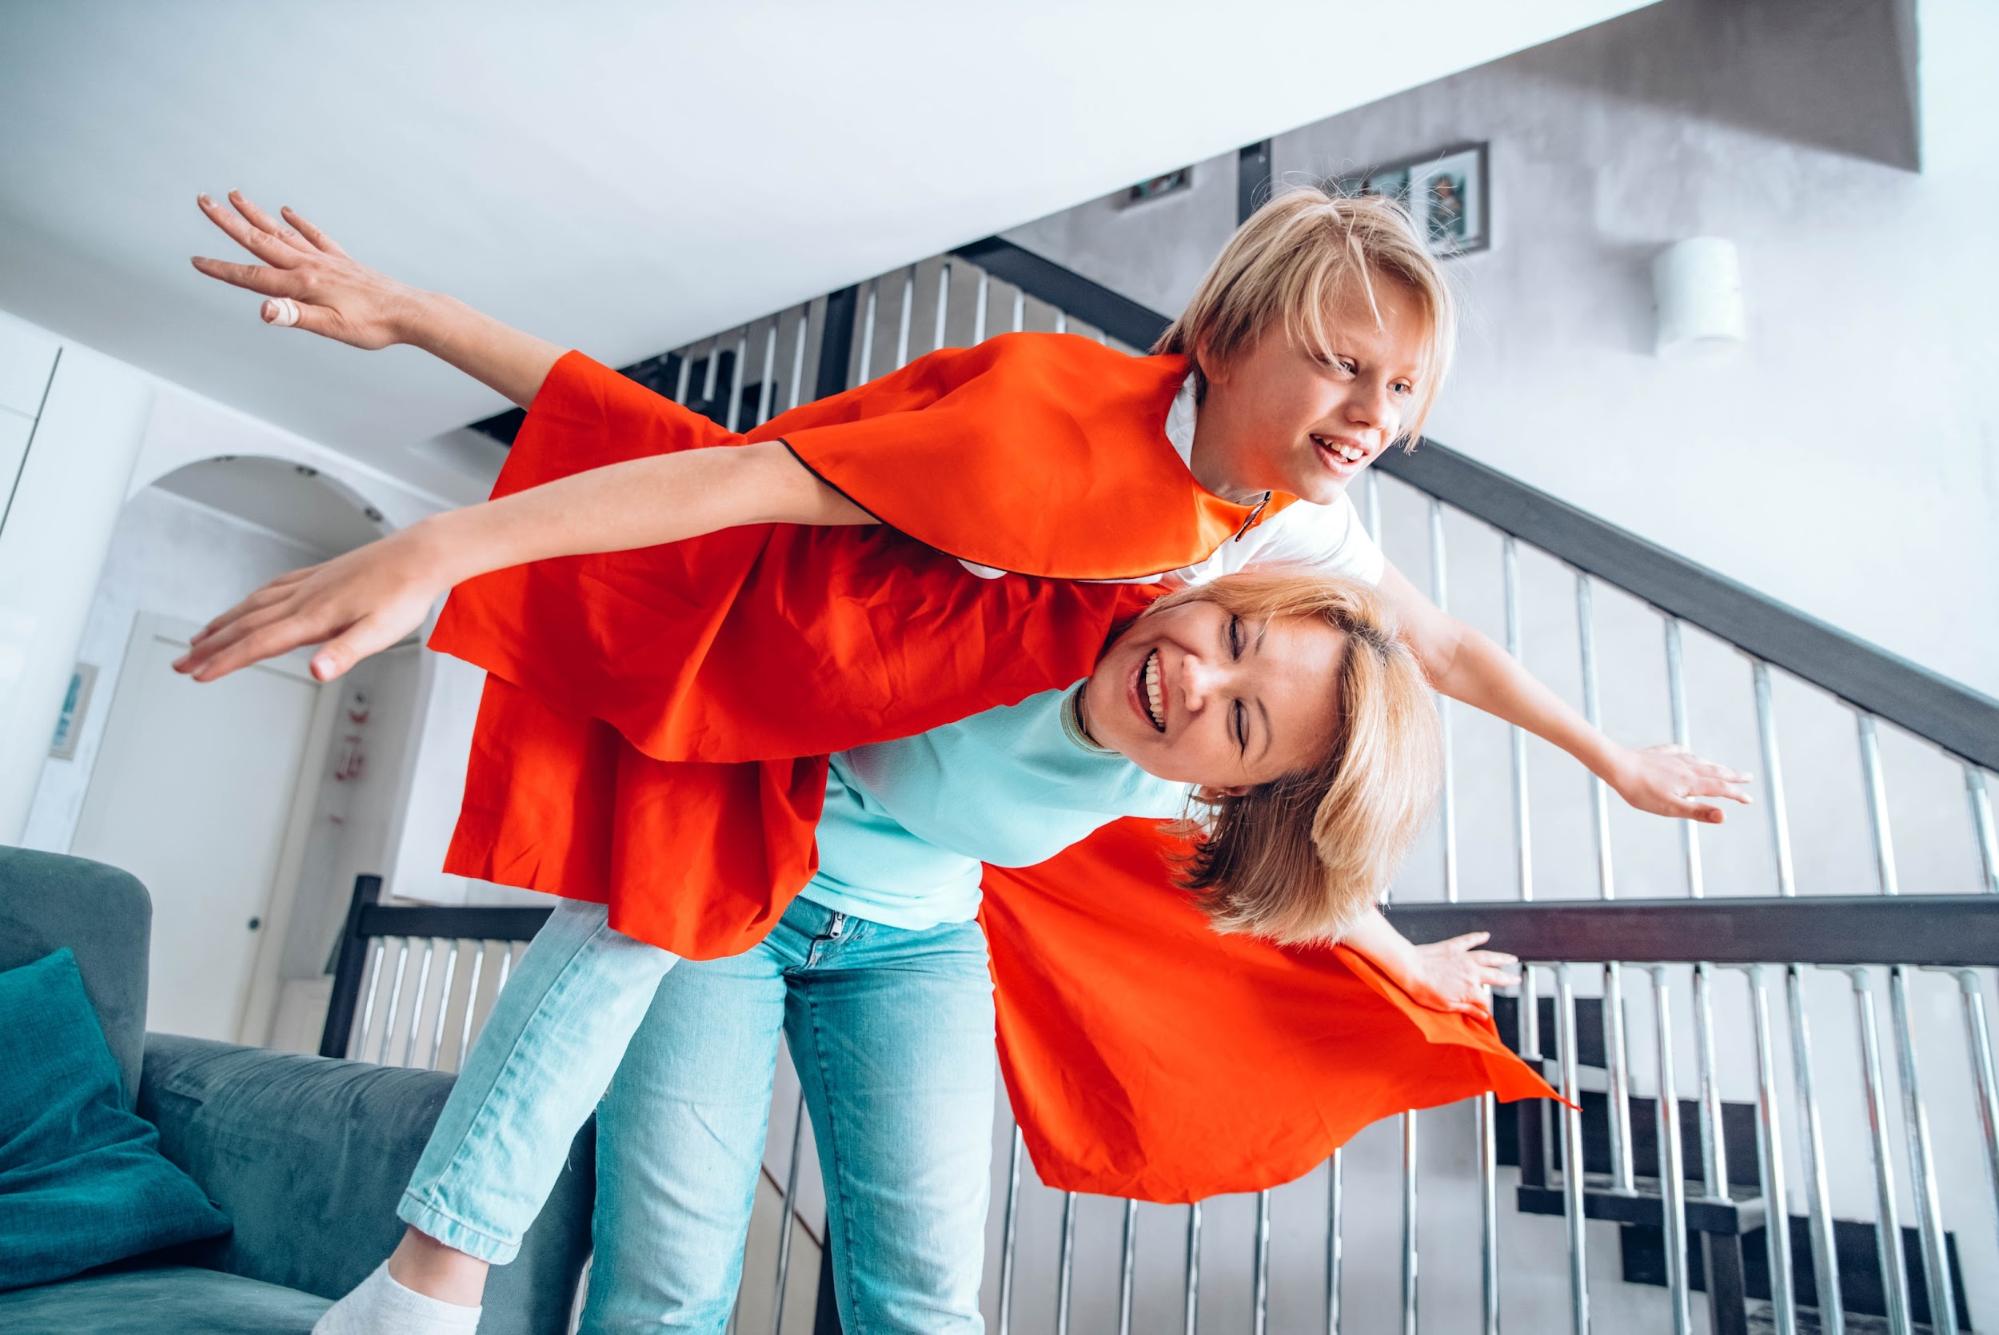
[[1822, 930]]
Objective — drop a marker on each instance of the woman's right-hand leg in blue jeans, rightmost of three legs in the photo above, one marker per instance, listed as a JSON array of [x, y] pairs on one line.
[[893, 1034]]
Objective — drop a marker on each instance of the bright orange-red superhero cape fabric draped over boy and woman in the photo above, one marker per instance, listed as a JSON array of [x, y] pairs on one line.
[[657, 724]]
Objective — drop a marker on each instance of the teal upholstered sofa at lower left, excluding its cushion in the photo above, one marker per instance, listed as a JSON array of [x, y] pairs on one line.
[[305, 1154]]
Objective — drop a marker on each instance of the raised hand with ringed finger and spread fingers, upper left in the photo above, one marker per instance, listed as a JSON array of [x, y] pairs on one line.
[[335, 295]]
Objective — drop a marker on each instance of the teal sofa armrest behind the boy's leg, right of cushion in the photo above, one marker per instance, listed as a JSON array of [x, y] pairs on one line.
[[311, 1156]]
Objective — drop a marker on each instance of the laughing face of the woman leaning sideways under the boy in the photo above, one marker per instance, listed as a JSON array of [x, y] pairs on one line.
[[1198, 694]]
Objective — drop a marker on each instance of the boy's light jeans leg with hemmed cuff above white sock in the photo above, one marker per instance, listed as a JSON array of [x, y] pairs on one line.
[[541, 1064]]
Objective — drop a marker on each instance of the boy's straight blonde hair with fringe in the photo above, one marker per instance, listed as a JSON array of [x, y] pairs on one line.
[[1294, 263]]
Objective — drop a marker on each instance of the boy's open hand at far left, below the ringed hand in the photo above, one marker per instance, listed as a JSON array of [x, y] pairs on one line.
[[357, 605]]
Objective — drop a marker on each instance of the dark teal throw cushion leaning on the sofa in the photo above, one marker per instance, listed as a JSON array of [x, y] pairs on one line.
[[81, 1178]]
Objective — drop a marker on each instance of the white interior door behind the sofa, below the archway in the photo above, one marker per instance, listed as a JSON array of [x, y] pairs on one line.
[[197, 792]]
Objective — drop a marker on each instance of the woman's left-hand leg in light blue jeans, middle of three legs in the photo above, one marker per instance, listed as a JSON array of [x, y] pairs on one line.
[[681, 1142]]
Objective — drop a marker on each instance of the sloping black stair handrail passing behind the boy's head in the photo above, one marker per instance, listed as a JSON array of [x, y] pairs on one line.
[[1932, 706]]
